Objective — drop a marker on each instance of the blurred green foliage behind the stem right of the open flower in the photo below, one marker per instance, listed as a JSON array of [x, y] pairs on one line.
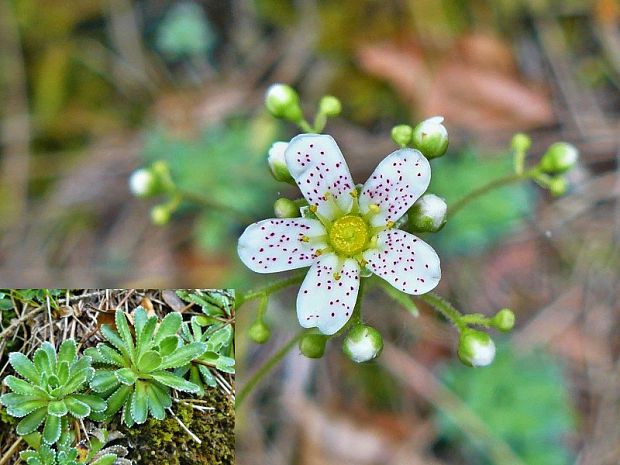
[[488, 219]]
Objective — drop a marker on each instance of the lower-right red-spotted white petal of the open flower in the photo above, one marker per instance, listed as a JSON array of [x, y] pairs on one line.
[[405, 261]]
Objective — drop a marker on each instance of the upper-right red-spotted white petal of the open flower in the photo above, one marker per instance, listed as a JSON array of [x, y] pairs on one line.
[[397, 182]]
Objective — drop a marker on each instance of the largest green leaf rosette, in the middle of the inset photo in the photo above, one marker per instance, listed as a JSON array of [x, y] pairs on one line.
[[138, 378]]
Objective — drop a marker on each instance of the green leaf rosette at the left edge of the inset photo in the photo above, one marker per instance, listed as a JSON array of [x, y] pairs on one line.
[[51, 391]]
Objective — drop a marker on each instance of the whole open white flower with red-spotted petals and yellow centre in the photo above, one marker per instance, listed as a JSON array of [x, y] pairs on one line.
[[354, 229]]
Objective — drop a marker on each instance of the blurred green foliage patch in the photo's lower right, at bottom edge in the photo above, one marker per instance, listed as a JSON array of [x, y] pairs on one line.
[[522, 398]]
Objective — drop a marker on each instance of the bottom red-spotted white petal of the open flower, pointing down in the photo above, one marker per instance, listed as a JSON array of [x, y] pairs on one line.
[[325, 302]]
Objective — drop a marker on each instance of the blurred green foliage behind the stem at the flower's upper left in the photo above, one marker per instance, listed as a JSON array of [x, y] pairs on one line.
[[224, 163]]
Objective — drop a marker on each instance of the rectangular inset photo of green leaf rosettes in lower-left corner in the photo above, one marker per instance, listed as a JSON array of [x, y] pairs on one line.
[[117, 376]]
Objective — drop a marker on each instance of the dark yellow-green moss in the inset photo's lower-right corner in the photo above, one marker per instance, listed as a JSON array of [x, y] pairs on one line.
[[166, 443]]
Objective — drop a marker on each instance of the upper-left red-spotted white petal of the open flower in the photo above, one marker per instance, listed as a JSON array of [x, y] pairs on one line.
[[318, 167]]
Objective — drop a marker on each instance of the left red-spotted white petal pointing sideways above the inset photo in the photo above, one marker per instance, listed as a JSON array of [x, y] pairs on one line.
[[276, 245]]
